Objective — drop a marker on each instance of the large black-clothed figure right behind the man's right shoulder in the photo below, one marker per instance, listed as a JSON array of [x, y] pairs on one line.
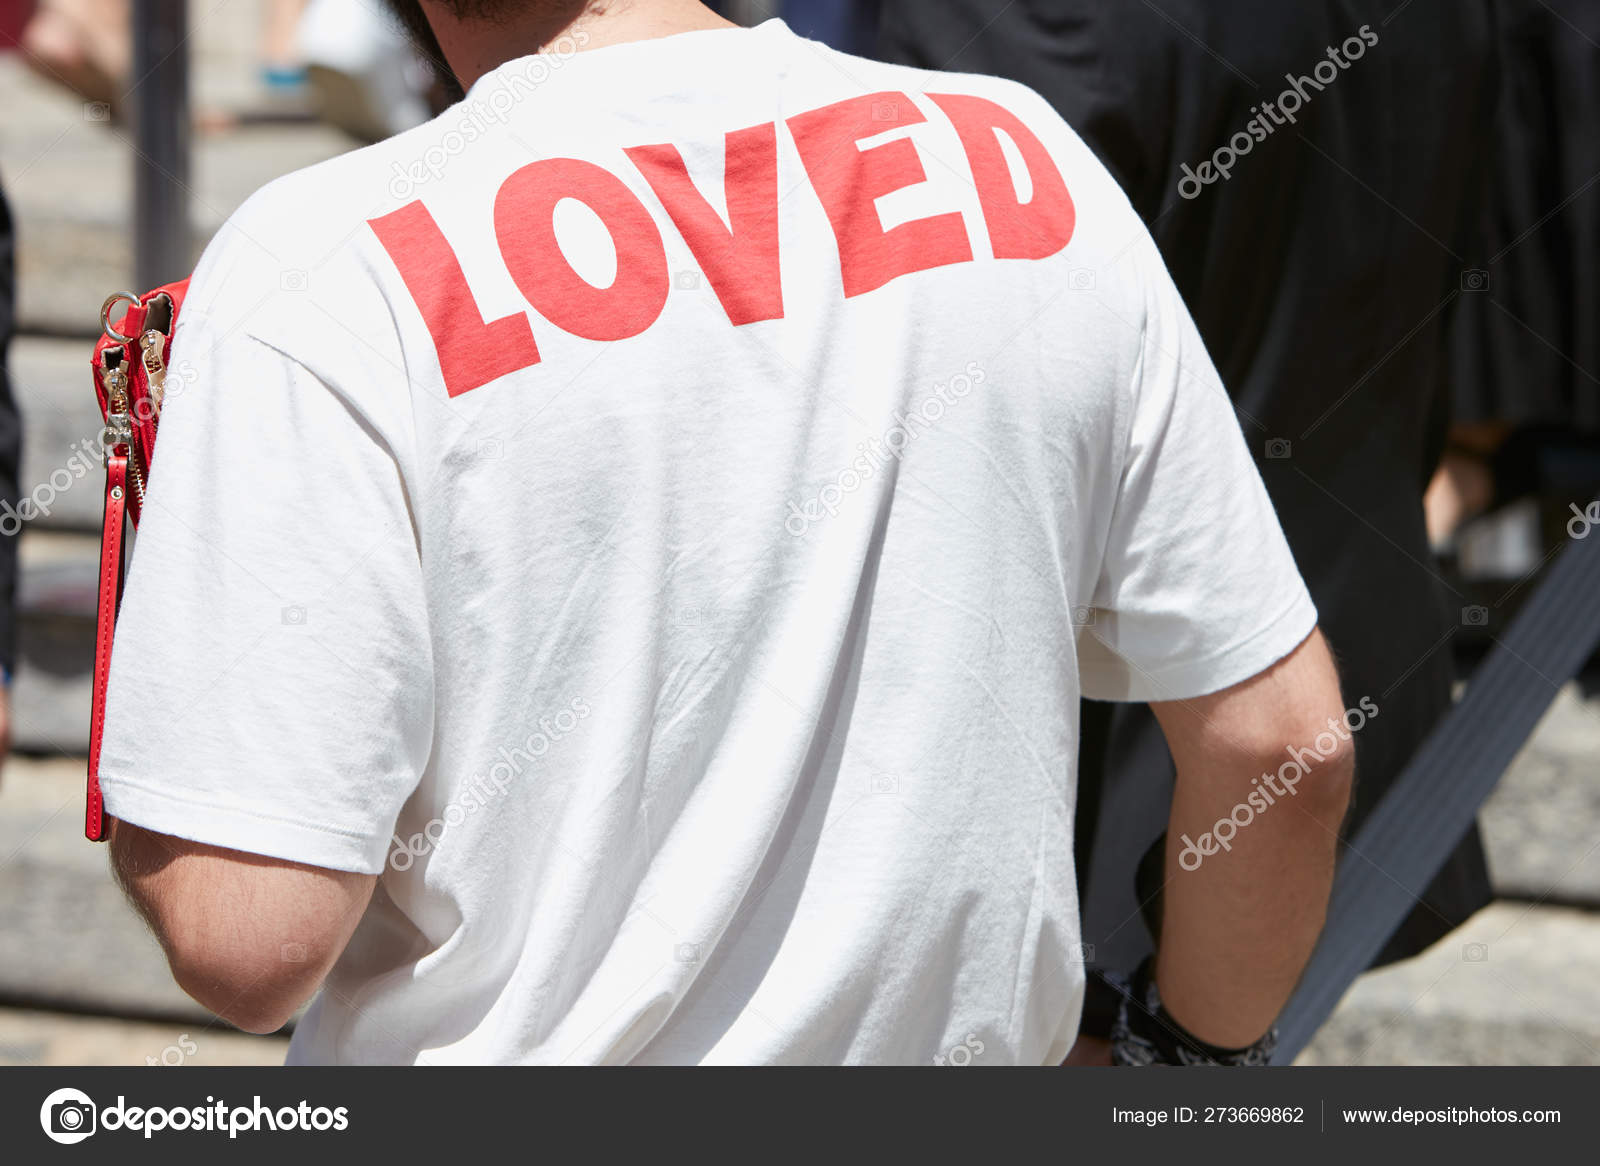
[[1310, 174]]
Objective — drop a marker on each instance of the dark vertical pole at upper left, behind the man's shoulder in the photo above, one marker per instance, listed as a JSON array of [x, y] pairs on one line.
[[159, 103]]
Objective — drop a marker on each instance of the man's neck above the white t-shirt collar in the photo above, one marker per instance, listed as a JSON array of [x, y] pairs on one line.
[[476, 47]]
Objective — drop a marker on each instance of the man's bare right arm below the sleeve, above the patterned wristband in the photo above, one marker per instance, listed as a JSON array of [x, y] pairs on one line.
[[1239, 927]]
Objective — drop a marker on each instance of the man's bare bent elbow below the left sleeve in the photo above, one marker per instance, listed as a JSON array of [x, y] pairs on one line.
[[247, 936]]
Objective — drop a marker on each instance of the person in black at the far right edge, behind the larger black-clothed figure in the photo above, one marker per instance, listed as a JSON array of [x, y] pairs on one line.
[[1526, 348]]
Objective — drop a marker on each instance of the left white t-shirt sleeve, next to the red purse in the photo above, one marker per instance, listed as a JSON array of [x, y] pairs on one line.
[[271, 684]]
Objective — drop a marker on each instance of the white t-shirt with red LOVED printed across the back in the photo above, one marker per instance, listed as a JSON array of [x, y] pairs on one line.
[[689, 629]]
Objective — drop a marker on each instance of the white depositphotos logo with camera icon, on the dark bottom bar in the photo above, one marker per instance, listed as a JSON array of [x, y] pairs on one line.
[[71, 1116]]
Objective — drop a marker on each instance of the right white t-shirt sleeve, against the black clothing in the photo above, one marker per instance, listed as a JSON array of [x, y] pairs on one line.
[[1198, 588]]
